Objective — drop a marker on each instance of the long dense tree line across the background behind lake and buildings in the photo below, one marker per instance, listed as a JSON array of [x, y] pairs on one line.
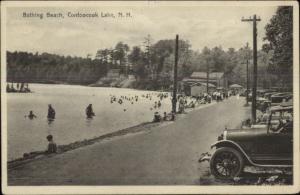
[[151, 67]]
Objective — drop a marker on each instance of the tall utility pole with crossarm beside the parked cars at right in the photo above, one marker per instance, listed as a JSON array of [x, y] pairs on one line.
[[254, 82]]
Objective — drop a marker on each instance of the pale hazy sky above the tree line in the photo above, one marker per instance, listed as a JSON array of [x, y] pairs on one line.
[[201, 25]]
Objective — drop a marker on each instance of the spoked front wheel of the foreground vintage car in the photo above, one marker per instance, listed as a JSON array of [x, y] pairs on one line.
[[226, 163]]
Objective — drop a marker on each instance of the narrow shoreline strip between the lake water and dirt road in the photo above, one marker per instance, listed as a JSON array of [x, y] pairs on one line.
[[142, 127]]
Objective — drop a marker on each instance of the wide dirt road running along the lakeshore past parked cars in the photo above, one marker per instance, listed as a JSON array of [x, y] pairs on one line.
[[166, 155]]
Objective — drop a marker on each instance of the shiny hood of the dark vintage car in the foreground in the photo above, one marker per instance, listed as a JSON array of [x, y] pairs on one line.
[[244, 134]]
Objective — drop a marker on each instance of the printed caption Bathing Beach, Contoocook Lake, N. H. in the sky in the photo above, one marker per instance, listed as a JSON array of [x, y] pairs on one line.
[[42, 15]]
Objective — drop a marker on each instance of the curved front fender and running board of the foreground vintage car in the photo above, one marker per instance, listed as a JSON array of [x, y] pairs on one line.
[[229, 143]]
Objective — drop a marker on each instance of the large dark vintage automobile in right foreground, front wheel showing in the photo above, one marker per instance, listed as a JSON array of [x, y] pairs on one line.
[[270, 146]]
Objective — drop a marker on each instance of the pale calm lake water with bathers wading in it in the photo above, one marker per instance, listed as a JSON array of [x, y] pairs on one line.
[[70, 125]]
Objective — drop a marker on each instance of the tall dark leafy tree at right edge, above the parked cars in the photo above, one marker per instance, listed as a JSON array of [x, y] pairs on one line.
[[279, 37]]
